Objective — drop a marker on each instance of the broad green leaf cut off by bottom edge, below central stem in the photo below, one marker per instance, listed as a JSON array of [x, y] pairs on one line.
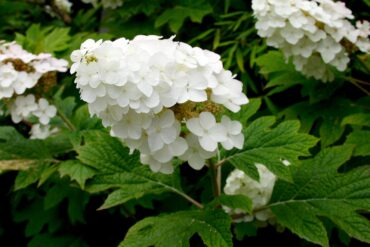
[[176, 229]]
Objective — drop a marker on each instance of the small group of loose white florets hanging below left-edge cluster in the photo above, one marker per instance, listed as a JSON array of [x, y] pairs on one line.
[[26, 107]]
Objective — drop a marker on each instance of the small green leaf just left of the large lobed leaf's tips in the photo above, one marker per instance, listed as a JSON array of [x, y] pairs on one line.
[[76, 171]]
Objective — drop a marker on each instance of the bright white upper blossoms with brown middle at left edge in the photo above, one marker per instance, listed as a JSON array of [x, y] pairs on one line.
[[20, 70]]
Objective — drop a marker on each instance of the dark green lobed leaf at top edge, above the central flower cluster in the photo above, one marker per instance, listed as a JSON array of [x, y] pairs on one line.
[[176, 16]]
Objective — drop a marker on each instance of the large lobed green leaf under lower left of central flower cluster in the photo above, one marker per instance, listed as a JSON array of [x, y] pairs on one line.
[[117, 169]]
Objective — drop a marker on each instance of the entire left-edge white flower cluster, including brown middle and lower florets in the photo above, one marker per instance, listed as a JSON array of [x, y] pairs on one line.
[[20, 73]]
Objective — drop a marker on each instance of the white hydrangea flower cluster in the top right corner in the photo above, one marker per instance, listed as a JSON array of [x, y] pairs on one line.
[[316, 34]]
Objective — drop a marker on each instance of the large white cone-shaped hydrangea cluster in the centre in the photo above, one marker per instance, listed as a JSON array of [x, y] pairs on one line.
[[150, 90]]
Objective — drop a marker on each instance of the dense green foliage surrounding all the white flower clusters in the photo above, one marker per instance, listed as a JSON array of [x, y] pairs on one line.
[[82, 187]]
